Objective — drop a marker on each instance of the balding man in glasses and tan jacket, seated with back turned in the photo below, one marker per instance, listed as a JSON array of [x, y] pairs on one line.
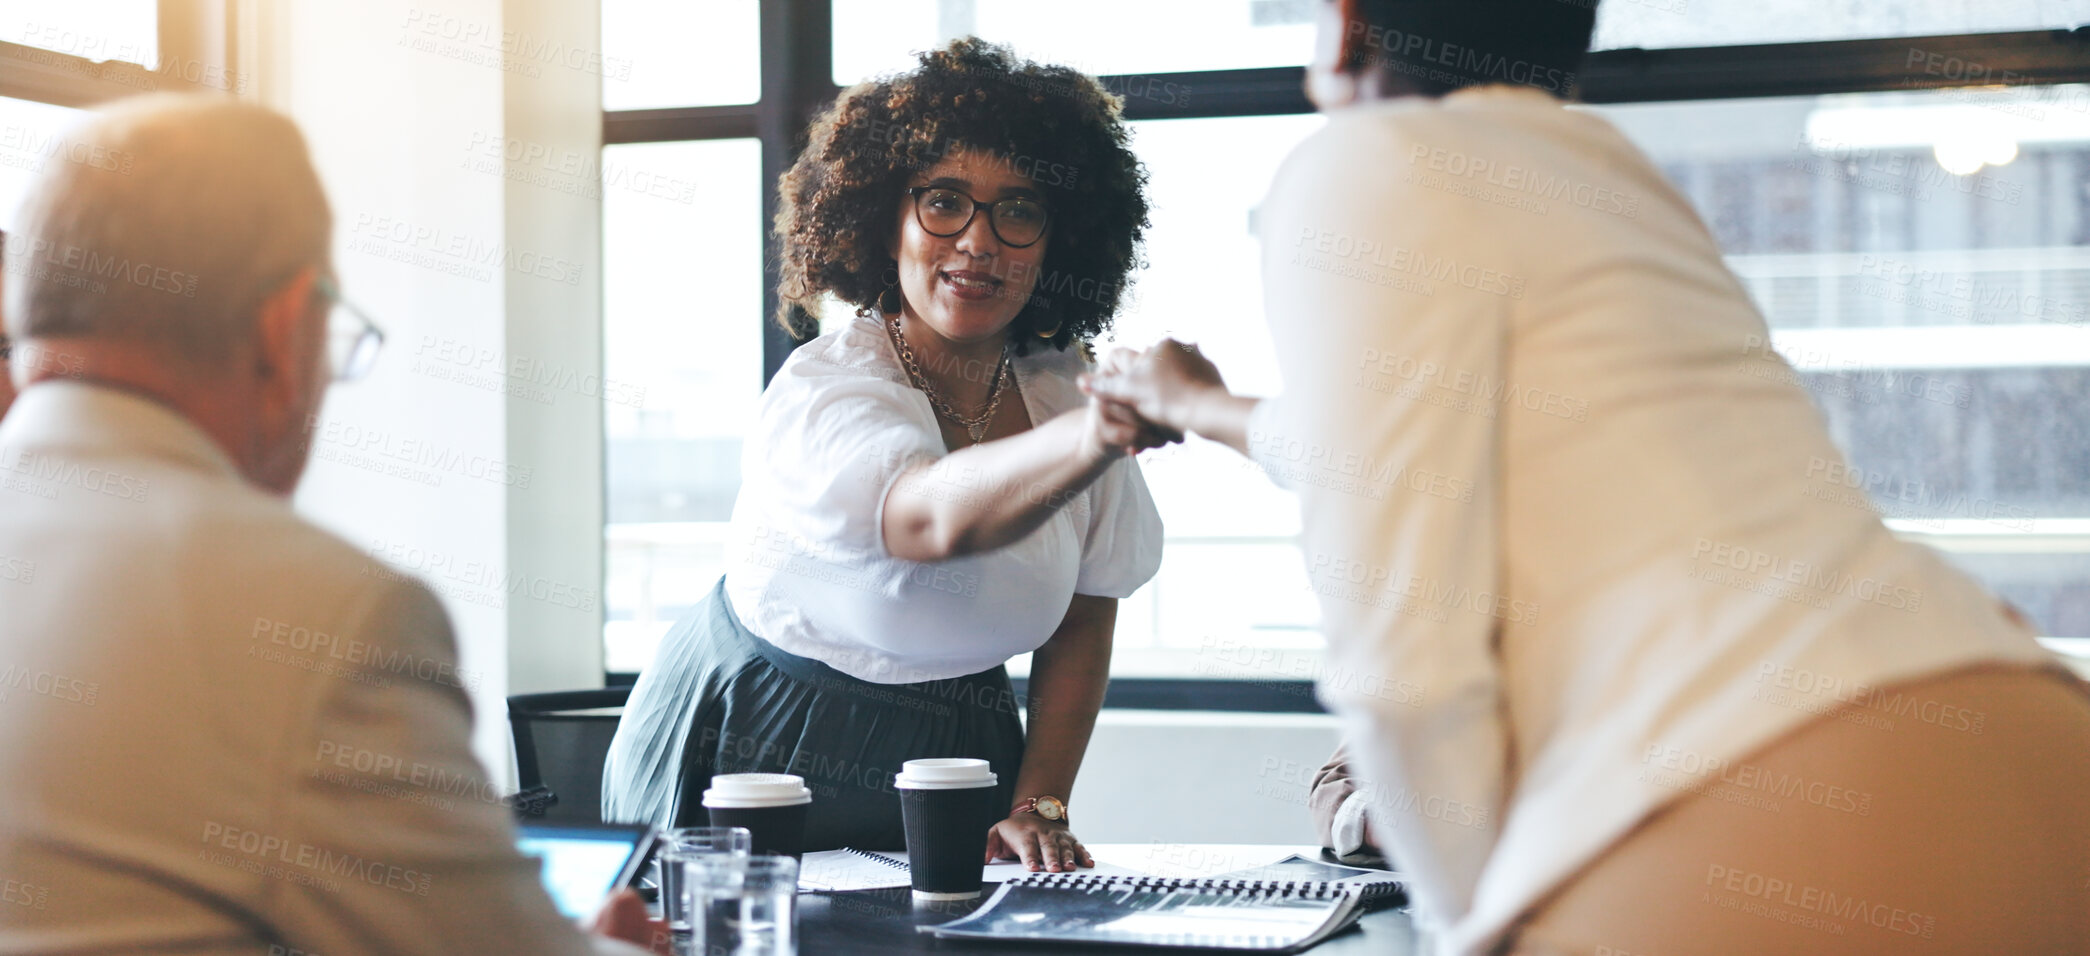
[[225, 731]]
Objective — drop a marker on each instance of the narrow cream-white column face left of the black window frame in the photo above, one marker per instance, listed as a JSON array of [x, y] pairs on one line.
[[553, 116]]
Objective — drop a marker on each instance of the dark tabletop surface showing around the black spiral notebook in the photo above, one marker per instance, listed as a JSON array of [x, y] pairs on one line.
[[885, 921]]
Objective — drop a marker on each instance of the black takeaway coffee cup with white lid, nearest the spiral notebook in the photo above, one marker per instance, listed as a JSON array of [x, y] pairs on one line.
[[948, 806]]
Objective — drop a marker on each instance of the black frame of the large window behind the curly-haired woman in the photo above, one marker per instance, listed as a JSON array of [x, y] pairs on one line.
[[797, 62]]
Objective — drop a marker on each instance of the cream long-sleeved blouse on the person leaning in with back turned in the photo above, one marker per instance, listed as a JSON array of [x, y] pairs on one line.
[[1577, 532]]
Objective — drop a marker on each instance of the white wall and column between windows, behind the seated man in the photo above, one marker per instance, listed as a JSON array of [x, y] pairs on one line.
[[463, 183]]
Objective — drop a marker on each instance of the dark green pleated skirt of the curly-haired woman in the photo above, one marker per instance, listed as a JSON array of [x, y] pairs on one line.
[[720, 700]]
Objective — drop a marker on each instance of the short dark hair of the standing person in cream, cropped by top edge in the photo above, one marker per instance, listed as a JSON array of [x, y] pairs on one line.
[[1447, 45]]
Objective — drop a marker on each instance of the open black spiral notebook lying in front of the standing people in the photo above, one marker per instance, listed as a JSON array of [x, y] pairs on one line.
[[1217, 913]]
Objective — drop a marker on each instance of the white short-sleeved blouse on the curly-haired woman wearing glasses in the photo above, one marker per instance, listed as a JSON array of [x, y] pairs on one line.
[[808, 568]]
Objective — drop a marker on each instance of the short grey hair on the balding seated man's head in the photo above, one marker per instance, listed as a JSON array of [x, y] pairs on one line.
[[166, 221]]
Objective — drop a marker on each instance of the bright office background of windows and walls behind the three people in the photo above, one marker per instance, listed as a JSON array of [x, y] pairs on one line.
[[559, 214]]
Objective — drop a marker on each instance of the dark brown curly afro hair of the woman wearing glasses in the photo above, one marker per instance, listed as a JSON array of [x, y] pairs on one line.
[[1061, 127]]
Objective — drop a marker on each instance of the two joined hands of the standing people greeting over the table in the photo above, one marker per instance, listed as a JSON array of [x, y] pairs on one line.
[[1153, 399]]
